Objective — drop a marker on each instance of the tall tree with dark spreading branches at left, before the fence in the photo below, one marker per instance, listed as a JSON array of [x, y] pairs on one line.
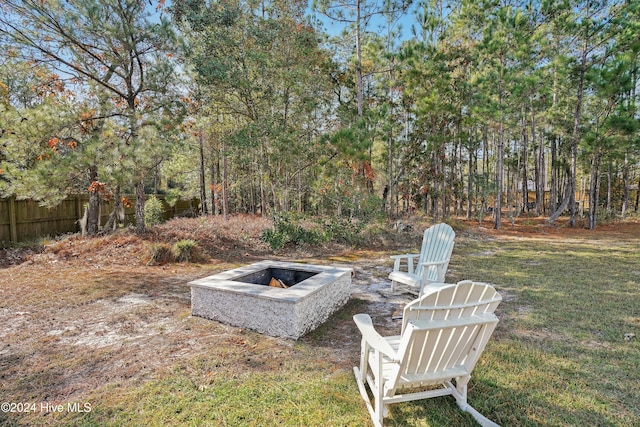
[[114, 45]]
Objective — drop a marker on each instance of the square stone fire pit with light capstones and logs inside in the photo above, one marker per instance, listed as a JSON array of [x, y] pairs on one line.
[[242, 297]]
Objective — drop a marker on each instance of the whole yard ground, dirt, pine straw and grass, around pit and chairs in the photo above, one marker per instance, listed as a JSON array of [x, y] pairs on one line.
[[90, 325]]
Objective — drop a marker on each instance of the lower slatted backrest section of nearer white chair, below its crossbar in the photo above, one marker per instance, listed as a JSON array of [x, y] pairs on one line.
[[434, 351]]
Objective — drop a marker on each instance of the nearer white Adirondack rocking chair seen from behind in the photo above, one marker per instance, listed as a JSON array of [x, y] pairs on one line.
[[437, 346]]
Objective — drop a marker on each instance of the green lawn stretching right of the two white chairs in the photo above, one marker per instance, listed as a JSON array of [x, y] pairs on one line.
[[559, 355]]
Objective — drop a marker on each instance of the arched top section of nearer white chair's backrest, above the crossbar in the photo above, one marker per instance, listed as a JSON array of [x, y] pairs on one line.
[[453, 301]]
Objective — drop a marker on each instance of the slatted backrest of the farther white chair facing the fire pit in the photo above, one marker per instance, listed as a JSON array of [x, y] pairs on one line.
[[437, 245]]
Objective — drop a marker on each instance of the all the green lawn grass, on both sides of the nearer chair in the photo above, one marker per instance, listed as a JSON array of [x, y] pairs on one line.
[[557, 358]]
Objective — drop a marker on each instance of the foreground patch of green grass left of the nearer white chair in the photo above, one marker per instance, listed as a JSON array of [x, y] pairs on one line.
[[290, 397]]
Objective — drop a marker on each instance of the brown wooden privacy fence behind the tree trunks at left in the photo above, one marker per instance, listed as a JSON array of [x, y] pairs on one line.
[[23, 220]]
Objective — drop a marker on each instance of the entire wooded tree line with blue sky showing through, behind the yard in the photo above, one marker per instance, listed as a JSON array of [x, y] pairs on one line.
[[445, 107]]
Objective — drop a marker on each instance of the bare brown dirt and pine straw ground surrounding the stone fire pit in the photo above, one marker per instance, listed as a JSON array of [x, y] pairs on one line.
[[86, 313]]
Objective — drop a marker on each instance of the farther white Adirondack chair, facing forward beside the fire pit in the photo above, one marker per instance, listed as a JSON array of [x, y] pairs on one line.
[[432, 261]]
